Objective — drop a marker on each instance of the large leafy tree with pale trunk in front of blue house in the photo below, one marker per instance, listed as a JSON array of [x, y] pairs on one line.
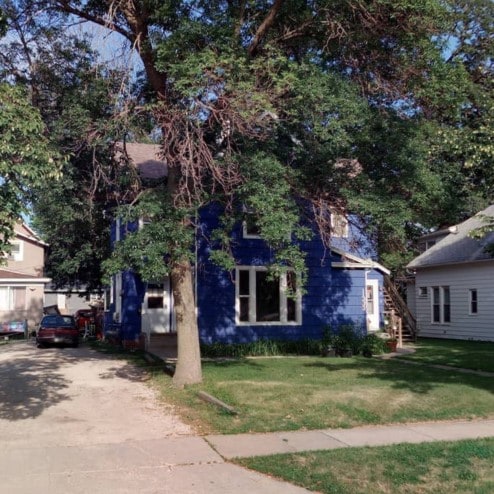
[[263, 103]]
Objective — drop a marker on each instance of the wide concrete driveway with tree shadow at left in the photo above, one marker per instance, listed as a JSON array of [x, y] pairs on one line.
[[76, 421]]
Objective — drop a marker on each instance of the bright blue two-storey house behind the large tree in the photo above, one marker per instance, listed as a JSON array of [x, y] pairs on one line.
[[342, 287]]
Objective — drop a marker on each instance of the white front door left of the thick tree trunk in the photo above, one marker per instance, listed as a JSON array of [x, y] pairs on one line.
[[156, 308]]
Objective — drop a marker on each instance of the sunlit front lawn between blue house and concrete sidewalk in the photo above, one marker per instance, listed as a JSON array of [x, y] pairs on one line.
[[313, 392]]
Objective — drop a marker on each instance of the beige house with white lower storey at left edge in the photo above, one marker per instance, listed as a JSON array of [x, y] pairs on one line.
[[21, 278]]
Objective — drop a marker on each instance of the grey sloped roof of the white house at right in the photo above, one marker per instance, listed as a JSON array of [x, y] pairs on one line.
[[458, 246]]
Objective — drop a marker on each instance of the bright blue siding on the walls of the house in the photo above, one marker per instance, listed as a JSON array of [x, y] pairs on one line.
[[334, 296]]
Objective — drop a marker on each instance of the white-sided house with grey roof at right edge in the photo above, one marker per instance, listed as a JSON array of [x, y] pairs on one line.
[[453, 294]]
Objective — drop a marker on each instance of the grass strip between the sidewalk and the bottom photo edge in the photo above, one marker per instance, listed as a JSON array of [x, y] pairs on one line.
[[463, 467]]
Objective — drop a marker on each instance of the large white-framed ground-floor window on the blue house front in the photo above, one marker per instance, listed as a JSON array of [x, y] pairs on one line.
[[265, 299]]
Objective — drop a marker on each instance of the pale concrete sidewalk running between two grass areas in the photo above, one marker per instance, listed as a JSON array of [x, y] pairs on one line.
[[247, 445]]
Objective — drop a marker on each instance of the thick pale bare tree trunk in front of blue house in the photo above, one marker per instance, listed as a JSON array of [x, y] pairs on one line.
[[188, 370]]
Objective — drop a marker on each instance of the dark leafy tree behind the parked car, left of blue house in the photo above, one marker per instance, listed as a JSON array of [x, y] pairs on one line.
[[77, 97]]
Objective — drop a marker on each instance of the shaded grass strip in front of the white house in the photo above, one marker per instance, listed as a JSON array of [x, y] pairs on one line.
[[468, 354]]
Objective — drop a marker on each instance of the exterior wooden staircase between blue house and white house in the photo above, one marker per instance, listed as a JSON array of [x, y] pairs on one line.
[[397, 313]]
